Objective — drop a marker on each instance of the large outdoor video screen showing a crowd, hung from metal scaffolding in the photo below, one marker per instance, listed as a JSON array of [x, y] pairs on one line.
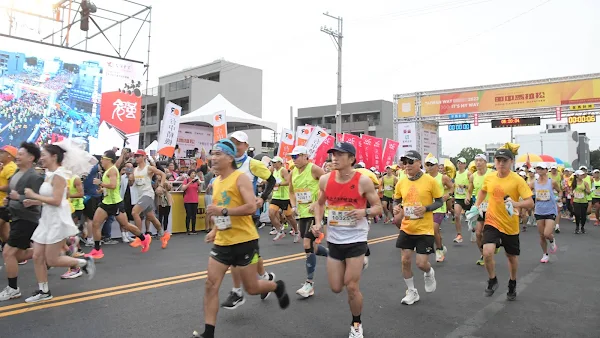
[[49, 92]]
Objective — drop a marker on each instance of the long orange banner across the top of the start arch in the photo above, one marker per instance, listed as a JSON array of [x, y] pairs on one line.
[[526, 97]]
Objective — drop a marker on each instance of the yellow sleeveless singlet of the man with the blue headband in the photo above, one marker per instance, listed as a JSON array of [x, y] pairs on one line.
[[227, 195]]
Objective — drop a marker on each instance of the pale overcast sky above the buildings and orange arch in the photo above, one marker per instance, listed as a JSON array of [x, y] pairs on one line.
[[389, 47]]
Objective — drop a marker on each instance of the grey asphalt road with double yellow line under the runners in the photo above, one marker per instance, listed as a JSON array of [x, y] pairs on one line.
[[159, 294]]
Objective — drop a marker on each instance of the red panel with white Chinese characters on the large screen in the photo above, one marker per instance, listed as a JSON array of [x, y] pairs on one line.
[[122, 111]]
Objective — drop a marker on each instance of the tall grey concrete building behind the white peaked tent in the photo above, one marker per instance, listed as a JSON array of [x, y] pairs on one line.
[[192, 88]]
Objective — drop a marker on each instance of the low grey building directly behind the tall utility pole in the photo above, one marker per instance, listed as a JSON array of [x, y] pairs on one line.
[[374, 118]]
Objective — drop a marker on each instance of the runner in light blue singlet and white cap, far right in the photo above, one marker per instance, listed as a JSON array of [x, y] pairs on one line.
[[545, 209]]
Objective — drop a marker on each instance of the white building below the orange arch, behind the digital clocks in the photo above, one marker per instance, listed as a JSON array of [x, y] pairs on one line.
[[558, 140]]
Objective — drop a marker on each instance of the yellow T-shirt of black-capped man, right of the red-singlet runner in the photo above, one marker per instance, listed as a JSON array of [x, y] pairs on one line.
[[421, 192]]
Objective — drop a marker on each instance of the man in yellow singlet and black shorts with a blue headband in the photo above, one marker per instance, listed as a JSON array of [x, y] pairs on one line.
[[235, 236]]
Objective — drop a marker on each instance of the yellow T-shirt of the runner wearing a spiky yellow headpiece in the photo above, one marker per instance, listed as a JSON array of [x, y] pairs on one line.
[[497, 188]]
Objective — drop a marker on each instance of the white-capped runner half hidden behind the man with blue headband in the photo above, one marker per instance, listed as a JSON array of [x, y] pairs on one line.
[[255, 170]]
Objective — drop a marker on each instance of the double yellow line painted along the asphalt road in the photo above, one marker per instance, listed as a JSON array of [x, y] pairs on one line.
[[141, 286]]
